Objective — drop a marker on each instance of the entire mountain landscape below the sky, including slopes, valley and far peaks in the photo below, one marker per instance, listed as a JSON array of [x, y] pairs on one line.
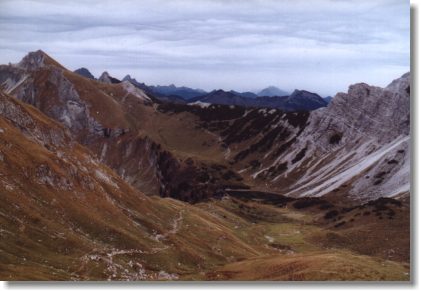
[[102, 179]]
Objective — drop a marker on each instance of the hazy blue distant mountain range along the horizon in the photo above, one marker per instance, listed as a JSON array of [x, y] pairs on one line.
[[270, 97]]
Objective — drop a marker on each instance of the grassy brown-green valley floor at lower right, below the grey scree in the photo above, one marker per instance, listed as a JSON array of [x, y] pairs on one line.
[[307, 244]]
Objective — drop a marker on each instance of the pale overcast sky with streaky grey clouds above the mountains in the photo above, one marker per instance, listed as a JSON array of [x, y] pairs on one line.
[[320, 45]]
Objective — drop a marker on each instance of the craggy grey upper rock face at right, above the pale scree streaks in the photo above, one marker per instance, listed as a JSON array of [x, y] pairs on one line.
[[362, 114]]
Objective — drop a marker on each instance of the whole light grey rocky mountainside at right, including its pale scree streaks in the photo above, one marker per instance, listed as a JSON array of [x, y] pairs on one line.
[[360, 143]]
